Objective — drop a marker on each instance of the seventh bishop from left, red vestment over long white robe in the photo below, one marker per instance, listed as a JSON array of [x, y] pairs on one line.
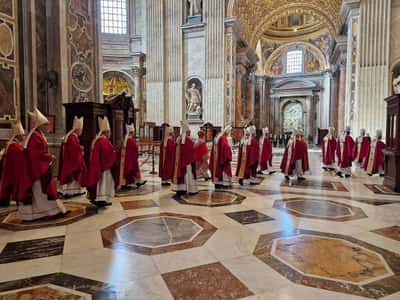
[[184, 167]]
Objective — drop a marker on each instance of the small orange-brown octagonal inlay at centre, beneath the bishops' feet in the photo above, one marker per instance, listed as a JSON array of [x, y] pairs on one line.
[[211, 198]]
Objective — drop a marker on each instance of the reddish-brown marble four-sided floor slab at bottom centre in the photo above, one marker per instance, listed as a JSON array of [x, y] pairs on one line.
[[205, 282]]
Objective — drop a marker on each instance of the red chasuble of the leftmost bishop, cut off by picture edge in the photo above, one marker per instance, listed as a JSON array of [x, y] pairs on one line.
[[10, 172]]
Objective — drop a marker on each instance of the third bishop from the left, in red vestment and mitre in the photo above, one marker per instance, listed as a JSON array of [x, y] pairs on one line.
[[72, 167]]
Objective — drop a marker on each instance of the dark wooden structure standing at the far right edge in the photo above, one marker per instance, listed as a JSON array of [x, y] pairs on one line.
[[392, 151]]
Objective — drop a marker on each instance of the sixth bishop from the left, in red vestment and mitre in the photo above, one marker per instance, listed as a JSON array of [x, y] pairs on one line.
[[167, 156]]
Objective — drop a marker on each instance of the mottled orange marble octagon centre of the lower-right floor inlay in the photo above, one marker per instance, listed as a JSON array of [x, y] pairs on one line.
[[313, 255]]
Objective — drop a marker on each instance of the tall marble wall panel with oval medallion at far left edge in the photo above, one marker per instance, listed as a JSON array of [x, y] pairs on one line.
[[9, 64]]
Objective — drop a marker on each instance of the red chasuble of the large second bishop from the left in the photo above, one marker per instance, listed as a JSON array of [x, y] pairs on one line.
[[37, 161]]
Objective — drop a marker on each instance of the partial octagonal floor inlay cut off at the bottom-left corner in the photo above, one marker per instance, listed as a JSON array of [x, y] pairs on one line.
[[57, 286]]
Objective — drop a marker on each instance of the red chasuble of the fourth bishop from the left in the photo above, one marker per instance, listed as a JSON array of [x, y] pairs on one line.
[[102, 158]]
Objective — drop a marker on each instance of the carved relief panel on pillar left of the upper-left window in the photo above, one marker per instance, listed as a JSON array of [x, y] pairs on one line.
[[81, 43]]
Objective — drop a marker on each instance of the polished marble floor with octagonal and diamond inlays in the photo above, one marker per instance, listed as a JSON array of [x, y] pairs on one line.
[[326, 238]]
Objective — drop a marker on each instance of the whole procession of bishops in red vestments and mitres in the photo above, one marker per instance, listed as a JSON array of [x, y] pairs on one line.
[[26, 164]]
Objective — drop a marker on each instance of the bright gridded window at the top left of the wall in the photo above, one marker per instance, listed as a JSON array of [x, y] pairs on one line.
[[114, 16]]
